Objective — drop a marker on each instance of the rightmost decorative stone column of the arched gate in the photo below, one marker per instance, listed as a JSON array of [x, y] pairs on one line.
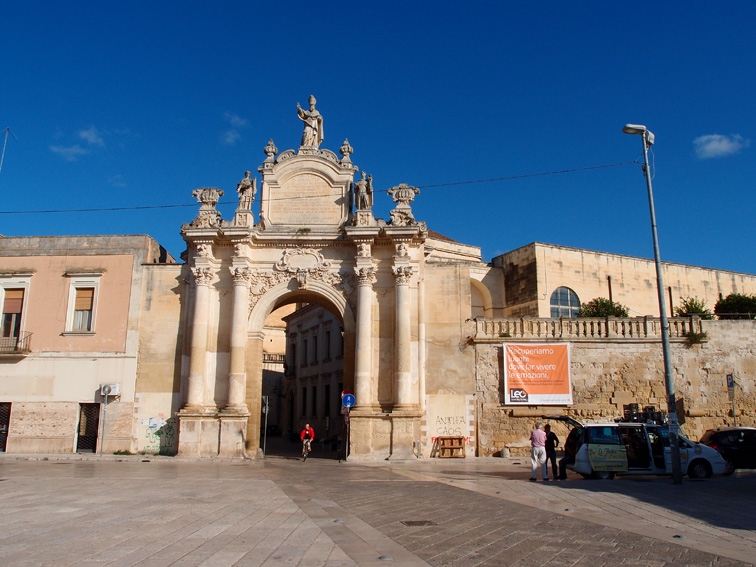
[[403, 338]]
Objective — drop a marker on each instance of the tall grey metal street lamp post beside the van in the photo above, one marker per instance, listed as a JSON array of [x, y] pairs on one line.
[[648, 140]]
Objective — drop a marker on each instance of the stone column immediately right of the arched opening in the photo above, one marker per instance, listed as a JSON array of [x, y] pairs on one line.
[[363, 382]]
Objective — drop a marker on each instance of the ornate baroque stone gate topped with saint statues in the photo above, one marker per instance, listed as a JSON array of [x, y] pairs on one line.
[[316, 241]]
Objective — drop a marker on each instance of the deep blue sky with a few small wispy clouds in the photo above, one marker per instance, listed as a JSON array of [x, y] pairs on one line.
[[135, 104]]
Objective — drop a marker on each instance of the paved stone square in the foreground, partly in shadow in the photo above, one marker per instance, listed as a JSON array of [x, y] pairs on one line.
[[119, 512]]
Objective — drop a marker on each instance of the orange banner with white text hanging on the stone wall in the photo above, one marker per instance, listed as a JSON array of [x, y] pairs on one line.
[[536, 374]]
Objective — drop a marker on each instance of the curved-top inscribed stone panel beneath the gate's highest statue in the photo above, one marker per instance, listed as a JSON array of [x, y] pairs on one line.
[[309, 191]]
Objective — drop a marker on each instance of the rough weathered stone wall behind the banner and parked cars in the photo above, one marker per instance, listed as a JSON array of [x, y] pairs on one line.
[[610, 373]]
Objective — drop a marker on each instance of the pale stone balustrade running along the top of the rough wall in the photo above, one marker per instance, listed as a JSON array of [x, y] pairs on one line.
[[583, 329]]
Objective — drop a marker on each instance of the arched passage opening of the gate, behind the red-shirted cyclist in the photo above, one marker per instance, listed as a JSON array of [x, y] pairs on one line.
[[306, 364]]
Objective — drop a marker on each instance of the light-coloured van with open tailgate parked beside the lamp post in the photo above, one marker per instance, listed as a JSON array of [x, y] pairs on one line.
[[607, 449]]
